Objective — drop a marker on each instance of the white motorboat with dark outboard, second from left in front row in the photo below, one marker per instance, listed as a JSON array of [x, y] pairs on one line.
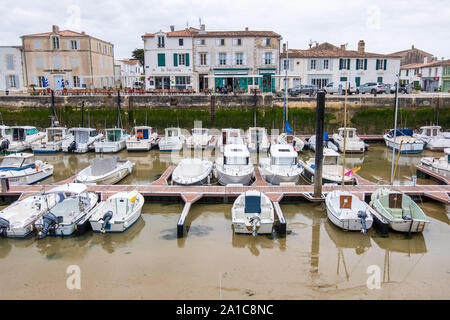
[[71, 214]]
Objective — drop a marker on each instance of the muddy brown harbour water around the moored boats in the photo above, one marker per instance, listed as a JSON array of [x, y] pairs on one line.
[[315, 260]]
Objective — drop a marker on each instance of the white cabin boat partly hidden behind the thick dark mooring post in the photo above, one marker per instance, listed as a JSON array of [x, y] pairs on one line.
[[331, 170]]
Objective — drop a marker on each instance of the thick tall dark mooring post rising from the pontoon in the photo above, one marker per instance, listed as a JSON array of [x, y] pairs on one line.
[[320, 114]]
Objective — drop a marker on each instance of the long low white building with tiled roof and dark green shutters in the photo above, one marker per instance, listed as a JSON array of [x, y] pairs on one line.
[[327, 63]]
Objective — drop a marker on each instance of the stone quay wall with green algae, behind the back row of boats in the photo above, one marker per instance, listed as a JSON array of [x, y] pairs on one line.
[[369, 114]]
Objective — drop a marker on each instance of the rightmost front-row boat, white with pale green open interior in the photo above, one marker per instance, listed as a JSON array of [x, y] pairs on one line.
[[402, 213]]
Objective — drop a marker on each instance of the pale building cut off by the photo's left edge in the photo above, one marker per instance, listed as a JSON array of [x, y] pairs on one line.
[[11, 72]]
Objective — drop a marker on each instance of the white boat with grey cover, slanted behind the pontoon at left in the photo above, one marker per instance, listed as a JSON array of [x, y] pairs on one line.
[[105, 171]]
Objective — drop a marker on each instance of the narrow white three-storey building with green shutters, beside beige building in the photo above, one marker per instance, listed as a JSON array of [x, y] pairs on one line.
[[168, 60]]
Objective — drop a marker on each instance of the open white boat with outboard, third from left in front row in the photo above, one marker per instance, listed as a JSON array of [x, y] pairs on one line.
[[117, 213]]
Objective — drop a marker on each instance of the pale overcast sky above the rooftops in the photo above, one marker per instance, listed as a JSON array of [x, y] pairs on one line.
[[386, 26]]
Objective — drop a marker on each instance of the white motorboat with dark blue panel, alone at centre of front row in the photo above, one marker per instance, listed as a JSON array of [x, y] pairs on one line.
[[252, 213]]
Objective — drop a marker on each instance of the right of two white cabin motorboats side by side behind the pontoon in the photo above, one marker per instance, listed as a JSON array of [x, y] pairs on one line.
[[281, 166]]
